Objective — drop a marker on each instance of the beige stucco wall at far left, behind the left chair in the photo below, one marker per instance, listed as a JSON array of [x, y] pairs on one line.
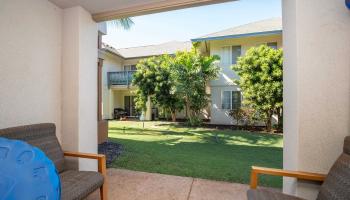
[[30, 63]]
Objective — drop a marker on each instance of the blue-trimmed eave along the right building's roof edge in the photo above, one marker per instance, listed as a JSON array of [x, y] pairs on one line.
[[265, 33]]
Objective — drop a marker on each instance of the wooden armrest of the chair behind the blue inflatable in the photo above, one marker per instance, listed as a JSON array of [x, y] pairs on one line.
[[99, 157]]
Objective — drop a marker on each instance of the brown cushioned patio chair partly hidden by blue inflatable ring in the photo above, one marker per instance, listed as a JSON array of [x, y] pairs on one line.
[[75, 185]]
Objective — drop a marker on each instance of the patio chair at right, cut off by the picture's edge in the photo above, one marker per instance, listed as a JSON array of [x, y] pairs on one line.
[[335, 185]]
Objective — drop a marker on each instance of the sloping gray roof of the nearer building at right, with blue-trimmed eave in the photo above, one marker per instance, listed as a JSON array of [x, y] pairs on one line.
[[264, 27]]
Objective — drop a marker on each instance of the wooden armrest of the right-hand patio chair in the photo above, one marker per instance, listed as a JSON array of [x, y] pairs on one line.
[[279, 172]]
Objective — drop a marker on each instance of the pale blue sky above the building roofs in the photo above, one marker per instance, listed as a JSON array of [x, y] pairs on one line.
[[186, 24]]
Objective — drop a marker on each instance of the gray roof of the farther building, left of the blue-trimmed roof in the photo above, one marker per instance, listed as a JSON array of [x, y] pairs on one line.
[[154, 50]]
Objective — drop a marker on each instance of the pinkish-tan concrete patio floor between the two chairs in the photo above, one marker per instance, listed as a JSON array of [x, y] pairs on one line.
[[132, 185]]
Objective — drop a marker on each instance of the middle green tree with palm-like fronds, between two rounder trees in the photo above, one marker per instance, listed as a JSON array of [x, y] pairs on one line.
[[191, 73]]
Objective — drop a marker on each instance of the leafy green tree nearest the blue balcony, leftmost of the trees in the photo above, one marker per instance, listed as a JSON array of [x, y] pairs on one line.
[[153, 78]]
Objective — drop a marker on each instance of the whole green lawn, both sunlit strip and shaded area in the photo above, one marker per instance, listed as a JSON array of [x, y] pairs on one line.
[[168, 148]]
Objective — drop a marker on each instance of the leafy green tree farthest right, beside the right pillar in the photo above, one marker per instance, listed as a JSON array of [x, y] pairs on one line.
[[261, 80]]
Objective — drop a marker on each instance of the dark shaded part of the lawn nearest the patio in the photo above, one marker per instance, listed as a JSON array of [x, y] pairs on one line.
[[222, 162]]
